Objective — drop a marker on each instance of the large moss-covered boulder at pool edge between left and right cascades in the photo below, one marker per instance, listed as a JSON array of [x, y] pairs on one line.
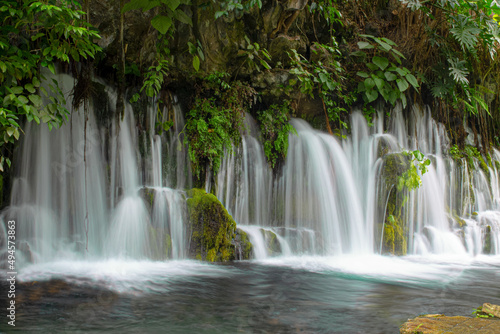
[[212, 229]]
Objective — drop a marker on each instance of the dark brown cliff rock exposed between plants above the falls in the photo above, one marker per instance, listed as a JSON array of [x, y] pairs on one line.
[[278, 26]]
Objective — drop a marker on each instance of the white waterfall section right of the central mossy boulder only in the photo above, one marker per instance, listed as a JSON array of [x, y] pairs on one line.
[[333, 190]]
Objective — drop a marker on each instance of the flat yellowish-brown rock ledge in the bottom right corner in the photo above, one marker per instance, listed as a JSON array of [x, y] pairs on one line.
[[439, 323]]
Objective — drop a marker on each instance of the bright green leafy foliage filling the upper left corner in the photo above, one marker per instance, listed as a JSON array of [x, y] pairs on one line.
[[34, 37]]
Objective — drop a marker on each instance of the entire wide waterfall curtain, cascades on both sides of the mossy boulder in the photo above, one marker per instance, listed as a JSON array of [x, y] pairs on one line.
[[95, 189]]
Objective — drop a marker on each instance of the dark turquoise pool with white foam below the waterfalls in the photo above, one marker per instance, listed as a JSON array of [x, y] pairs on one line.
[[346, 294]]
